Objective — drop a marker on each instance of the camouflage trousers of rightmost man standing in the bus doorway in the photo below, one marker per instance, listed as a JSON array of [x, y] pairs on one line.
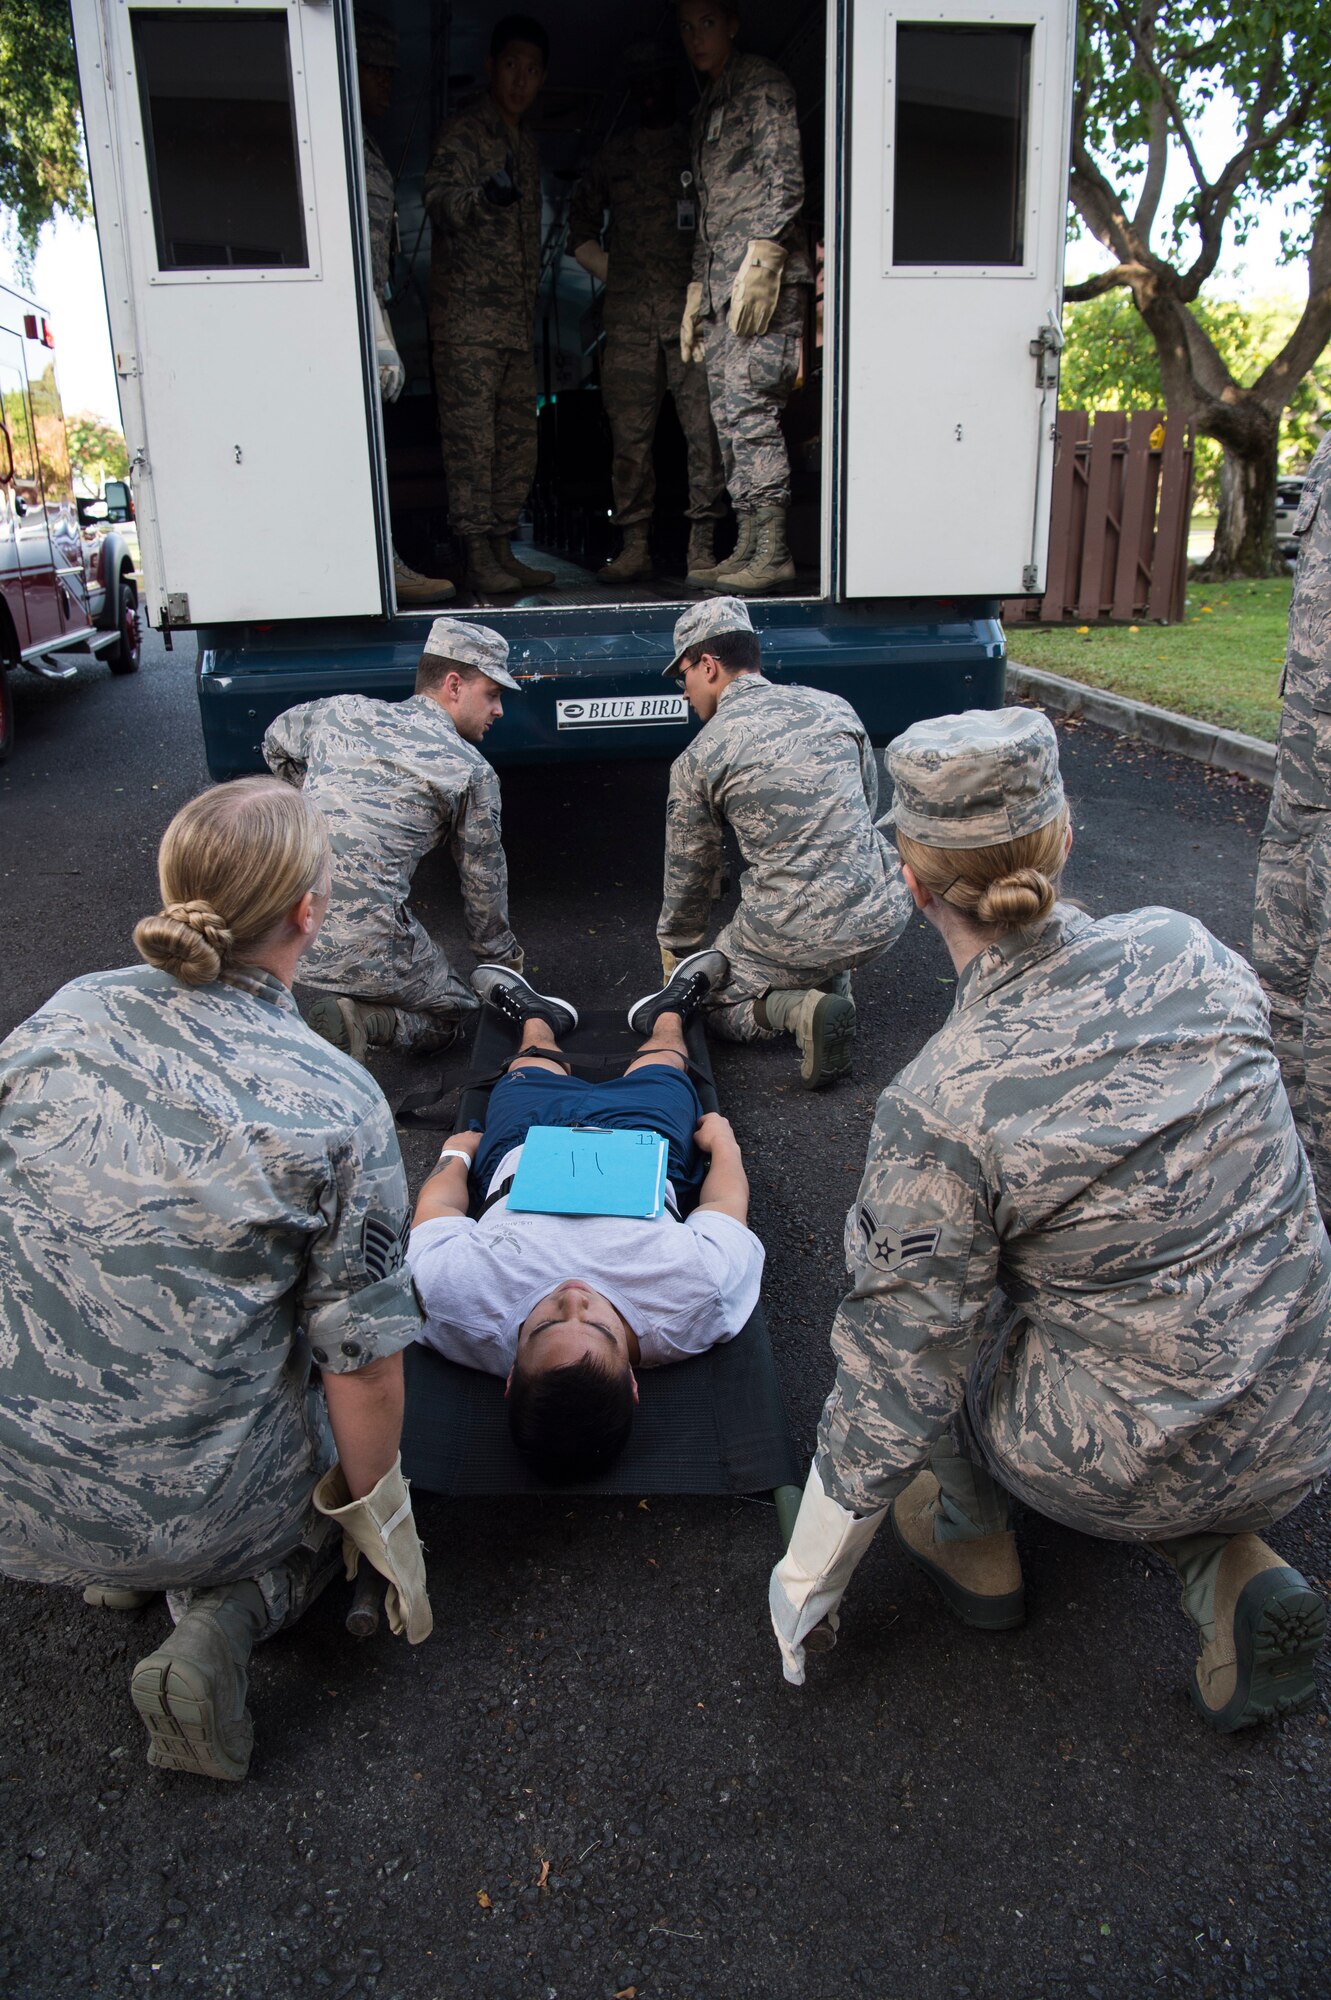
[[750, 379]]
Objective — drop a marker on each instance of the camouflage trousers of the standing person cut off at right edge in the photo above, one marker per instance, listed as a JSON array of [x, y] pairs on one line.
[[1292, 955]]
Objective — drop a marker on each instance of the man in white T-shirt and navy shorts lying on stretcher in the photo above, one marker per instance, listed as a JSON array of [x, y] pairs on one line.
[[567, 1307]]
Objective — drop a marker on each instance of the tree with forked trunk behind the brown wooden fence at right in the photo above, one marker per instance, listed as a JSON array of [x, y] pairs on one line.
[[1146, 73]]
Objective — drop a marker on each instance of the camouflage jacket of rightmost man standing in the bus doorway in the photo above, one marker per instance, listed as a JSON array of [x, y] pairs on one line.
[[750, 175]]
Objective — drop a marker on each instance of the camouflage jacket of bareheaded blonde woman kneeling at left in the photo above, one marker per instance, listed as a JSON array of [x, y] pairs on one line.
[[199, 1199]]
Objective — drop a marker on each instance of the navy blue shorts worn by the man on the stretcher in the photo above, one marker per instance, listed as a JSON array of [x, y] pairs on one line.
[[655, 1099]]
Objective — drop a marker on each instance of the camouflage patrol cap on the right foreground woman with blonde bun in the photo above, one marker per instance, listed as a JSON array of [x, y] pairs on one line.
[[976, 779]]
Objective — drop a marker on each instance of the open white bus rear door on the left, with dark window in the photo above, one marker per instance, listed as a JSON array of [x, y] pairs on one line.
[[225, 153]]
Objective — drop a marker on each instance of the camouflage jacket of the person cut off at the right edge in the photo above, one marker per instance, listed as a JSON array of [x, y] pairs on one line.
[[1304, 771]]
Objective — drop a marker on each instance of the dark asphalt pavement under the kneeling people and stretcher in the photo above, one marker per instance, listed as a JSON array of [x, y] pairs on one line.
[[593, 1781]]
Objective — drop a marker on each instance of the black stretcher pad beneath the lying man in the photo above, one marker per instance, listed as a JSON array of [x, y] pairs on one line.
[[712, 1425]]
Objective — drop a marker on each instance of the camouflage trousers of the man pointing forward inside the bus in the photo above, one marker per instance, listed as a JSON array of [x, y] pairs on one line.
[[487, 431]]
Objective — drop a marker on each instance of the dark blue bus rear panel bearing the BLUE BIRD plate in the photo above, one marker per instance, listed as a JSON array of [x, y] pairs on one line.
[[894, 663]]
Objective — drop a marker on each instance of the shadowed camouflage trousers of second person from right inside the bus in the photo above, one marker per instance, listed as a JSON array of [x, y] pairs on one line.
[[643, 361]]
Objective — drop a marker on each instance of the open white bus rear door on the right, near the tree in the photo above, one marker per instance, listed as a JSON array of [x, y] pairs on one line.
[[956, 187]]
